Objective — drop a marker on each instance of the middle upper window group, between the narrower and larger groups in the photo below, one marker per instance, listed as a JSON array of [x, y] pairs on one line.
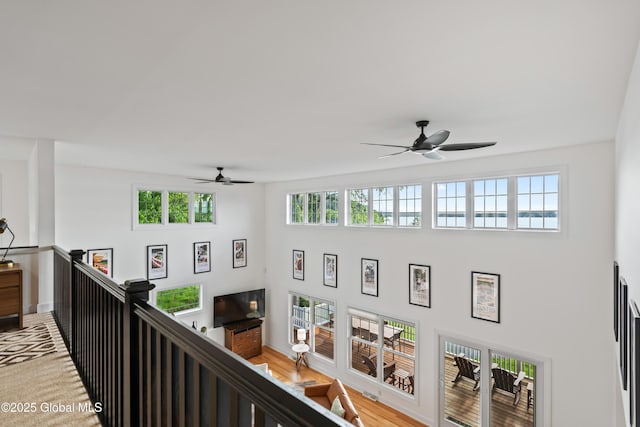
[[390, 206]]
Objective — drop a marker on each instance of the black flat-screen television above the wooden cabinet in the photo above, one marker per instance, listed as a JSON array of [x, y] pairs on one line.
[[233, 308]]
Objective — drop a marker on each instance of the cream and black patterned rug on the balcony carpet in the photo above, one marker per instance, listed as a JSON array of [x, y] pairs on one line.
[[25, 344]]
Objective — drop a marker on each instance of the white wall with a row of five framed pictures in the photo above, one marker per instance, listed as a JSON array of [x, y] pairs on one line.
[[554, 285]]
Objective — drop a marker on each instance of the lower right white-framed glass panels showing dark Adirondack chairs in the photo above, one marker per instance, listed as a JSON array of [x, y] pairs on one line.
[[490, 386]]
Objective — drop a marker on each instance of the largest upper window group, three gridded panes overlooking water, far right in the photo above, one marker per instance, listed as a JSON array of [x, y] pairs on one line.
[[516, 202]]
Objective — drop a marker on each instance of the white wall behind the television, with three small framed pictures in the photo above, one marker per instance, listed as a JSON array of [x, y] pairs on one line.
[[94, 210]]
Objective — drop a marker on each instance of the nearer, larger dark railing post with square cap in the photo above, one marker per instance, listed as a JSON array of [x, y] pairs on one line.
[[135, 290]]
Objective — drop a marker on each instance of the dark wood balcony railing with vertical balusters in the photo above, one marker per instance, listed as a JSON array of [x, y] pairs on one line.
[[142, 367]]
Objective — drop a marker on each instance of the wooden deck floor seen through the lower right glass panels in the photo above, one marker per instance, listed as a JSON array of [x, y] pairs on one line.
[[463, 403]]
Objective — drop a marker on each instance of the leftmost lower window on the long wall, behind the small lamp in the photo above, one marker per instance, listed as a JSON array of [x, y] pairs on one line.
[[316, 317]]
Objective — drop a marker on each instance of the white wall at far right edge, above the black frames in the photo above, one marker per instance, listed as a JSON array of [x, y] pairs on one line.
[[627, 205]]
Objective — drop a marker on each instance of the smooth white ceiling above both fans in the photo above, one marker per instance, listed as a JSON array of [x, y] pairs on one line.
[[287, 89]]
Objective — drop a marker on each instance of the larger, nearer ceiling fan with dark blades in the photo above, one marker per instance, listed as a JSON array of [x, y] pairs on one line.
[[430, 146]]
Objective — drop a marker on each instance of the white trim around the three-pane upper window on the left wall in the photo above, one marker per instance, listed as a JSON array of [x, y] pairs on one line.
[[164, 196]]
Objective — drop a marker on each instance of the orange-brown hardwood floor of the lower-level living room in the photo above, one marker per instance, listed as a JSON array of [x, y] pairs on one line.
[[372, 414]]
